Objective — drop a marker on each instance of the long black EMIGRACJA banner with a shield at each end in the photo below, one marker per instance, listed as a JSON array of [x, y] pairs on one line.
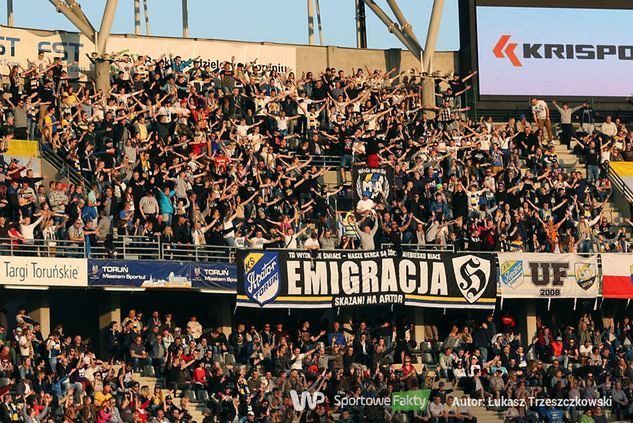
[[293, 279]]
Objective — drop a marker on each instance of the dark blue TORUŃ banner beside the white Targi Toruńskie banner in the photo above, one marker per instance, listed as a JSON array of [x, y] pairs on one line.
[[162, 274]]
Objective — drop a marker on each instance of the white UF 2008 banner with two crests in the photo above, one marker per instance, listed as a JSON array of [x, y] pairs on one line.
[[534, 275]]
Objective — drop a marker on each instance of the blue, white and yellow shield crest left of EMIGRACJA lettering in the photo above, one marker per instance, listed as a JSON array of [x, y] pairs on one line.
[[262, 278]]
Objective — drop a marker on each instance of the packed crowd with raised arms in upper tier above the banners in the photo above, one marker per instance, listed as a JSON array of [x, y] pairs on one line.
[[234, 156]]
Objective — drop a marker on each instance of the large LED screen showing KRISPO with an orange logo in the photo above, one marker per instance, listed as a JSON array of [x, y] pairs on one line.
[[525, 51]]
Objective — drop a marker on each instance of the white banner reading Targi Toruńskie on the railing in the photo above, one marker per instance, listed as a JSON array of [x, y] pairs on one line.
[[40, 271]]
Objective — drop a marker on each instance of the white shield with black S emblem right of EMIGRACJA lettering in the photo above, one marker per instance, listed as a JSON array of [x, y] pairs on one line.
[[472, 274]]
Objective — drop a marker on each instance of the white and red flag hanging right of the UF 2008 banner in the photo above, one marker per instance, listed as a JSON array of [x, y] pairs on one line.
[[617, 276]]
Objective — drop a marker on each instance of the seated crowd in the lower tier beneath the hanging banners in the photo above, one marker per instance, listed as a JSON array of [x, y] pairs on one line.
[[251, 374]]
